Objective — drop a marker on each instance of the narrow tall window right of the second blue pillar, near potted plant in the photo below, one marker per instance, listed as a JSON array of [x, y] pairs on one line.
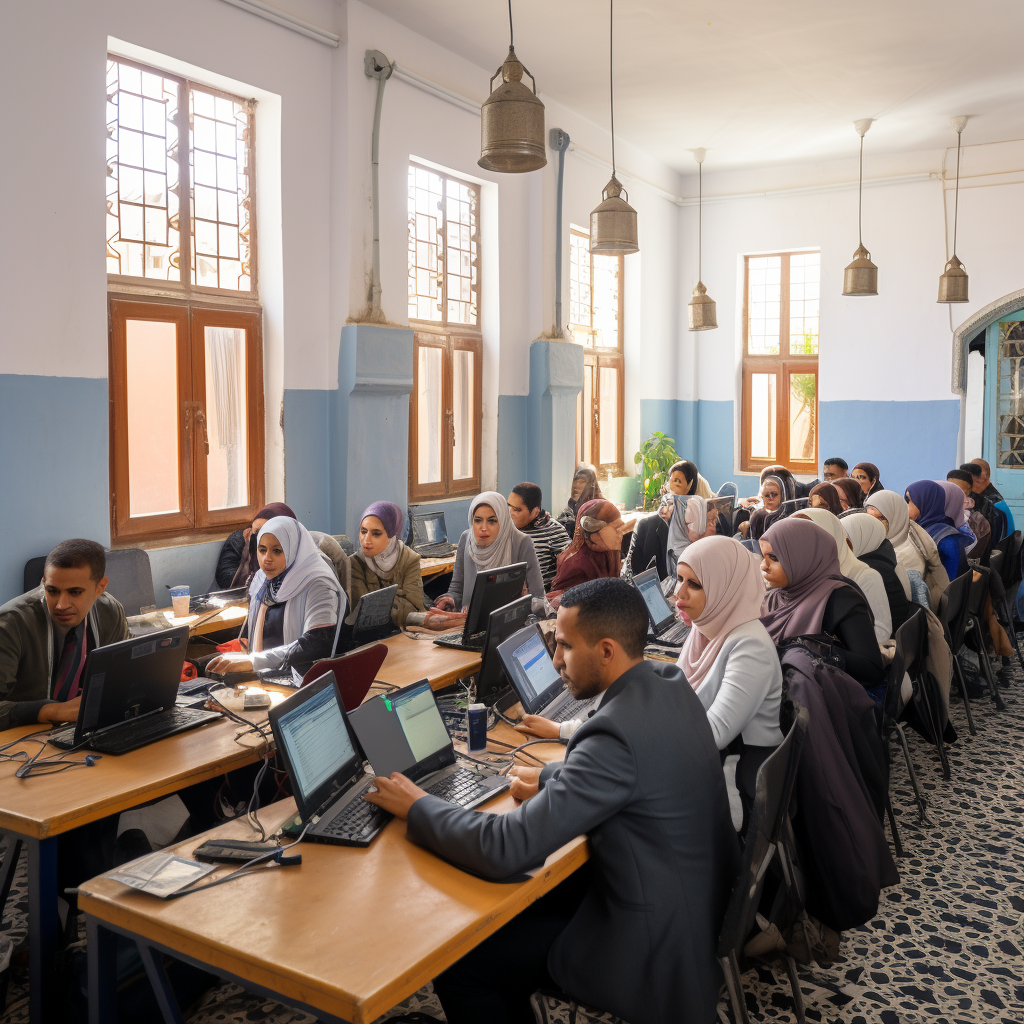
[[596, 323]]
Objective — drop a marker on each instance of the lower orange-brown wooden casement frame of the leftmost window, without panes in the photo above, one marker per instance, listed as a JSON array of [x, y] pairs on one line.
[[193, 521]]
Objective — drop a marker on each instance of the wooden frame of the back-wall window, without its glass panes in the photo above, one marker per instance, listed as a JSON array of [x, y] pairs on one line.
[[782, 365]]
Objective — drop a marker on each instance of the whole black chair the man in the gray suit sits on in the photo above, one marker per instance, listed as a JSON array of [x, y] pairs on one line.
[[765, 843]]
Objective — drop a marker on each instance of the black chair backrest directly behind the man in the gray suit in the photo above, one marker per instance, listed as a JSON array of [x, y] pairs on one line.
[[777, 779]]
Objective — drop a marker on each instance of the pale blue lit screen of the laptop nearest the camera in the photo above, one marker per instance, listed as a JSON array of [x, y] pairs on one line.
[[316, 742]]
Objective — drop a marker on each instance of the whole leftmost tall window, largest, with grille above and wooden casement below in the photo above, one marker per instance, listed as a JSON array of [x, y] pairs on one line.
[[186, 346]]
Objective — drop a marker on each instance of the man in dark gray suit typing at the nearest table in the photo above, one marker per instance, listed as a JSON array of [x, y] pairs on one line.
[[636, 931]]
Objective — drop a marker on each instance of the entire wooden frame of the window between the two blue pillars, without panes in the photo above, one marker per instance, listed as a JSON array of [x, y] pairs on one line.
[[450, 337]]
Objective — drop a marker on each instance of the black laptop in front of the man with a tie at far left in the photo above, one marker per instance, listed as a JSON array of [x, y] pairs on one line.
[[130, 692]]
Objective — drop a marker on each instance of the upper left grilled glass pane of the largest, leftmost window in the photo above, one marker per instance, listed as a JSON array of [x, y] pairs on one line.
[[142, 175]]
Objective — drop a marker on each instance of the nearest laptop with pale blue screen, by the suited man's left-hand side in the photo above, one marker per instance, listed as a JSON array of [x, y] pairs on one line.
[[327, 772]]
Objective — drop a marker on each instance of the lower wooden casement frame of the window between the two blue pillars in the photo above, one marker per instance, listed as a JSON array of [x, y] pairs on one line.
[[449, 343]]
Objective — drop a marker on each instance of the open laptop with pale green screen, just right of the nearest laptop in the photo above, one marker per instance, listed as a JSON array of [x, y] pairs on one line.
[[404, 732]]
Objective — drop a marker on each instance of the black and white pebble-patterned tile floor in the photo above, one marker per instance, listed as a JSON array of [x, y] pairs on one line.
[[947, 947]]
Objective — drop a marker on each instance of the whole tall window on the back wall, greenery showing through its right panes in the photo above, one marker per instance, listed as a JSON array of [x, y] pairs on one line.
[[781, 362]]
